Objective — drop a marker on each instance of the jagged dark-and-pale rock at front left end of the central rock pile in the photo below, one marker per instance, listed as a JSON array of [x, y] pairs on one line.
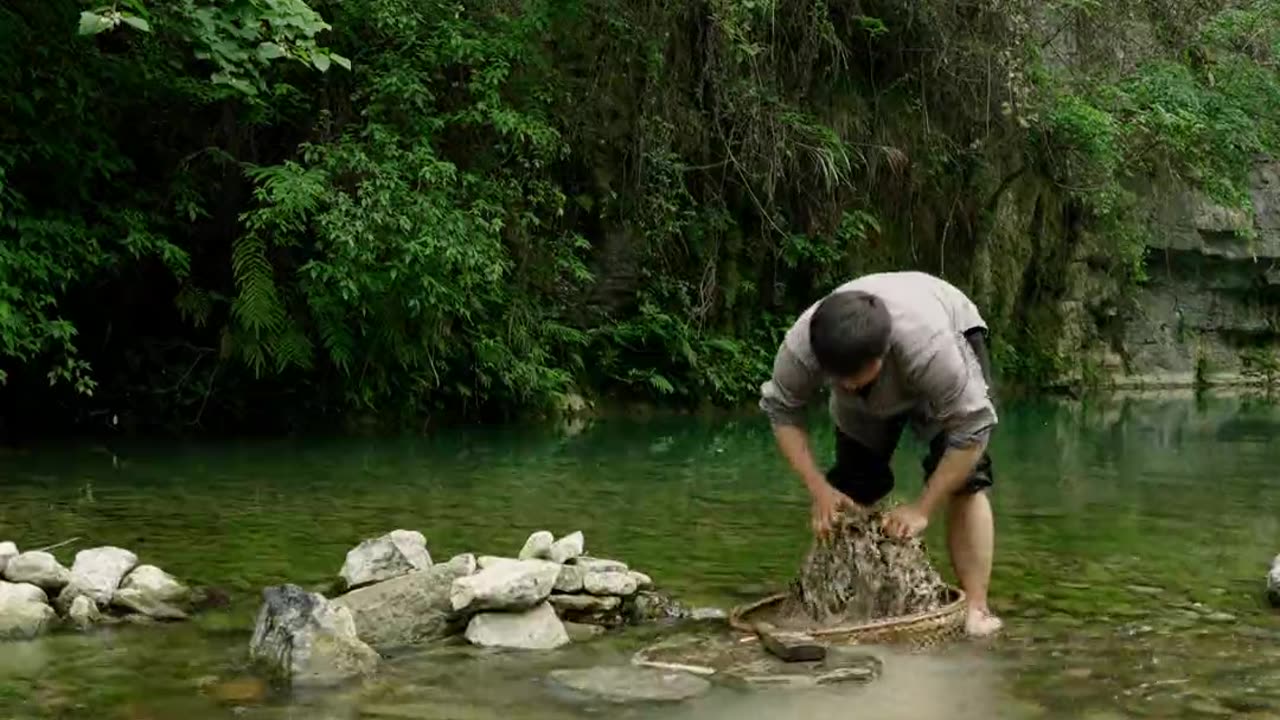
[[304, 639]]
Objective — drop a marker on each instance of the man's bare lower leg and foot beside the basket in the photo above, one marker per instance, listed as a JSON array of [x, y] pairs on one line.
[[972, 539]]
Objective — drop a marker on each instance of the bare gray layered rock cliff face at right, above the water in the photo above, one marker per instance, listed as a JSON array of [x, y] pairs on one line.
[[1209, 312]]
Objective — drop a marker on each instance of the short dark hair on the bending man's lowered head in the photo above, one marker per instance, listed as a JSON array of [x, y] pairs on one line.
[[848, 331]]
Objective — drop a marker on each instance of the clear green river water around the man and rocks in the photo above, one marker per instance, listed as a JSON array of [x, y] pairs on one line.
[[1133, 541]]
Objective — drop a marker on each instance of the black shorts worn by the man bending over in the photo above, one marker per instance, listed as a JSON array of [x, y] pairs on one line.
[[867, 477]]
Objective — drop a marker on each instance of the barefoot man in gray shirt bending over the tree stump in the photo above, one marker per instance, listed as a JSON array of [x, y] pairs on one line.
[[897, 349]]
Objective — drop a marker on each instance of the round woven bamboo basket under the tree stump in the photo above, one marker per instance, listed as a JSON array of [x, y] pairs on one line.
[[920, 631]]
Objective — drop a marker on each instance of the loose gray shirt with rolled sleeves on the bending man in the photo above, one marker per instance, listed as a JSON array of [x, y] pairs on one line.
[[931, 373]]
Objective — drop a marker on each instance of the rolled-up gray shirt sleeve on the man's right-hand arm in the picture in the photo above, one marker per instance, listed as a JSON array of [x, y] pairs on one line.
[[952, 382]]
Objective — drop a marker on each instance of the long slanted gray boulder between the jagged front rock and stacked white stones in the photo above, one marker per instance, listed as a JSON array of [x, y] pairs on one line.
[[410, 609]]
